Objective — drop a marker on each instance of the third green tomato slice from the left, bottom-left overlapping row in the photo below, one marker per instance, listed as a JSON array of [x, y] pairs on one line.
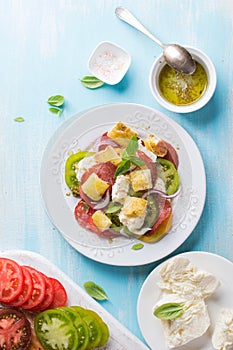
[[95, 331]]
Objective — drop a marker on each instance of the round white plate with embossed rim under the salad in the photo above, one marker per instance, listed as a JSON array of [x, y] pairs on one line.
[[78, 133]]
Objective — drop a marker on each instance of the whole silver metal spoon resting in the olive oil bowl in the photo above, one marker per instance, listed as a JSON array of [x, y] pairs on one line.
[[175, 55]]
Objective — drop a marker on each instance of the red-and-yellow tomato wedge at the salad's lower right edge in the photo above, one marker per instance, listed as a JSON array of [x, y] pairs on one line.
[[162, 225]]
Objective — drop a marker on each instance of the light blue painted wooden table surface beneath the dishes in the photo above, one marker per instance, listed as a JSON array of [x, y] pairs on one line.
[[45, 46]]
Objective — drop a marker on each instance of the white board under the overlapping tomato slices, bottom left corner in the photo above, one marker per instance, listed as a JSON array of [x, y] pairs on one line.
[[120, 337]]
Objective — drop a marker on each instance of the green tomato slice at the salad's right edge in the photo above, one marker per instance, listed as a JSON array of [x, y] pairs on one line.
[[171, 177]]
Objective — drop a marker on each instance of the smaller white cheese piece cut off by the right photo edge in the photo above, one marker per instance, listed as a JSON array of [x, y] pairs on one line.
[[222, 338]]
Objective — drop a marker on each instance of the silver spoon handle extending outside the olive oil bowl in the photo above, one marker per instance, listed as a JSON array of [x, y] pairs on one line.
[[127, 17]]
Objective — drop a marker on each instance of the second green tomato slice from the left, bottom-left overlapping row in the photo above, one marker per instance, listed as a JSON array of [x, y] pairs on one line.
[[80, 325]]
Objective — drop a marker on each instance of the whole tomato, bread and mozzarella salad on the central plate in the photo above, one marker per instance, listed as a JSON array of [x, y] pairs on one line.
[[125, 184]]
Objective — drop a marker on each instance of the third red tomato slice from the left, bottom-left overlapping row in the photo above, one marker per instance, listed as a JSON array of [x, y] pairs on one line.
[[38, 290]]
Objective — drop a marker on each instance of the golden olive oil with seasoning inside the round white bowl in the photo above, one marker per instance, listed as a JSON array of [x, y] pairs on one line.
[[182, 89]]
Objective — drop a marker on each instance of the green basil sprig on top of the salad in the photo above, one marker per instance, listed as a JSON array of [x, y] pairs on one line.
[[128, 158]]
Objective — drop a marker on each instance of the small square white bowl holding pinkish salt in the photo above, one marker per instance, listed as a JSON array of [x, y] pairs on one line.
[[109, 62]]
